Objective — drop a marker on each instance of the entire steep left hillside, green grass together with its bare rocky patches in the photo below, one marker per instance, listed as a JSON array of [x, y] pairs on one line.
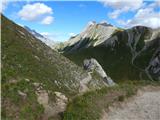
[[37, 82]]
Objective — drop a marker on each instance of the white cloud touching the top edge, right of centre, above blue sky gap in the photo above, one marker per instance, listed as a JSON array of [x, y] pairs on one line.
[[120, 6]]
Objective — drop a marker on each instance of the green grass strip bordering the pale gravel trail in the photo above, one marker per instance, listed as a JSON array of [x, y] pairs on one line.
[[91, 105]]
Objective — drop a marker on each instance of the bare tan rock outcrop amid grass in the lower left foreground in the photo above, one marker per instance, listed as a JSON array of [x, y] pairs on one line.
[[50, 108]]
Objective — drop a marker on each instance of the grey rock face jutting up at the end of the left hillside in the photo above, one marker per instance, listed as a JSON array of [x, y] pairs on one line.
[[92, 64]]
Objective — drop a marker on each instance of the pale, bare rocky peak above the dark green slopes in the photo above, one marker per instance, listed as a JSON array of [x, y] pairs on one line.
[[93, 35]]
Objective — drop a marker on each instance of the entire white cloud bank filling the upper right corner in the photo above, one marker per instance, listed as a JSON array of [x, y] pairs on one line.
[[145, 14]]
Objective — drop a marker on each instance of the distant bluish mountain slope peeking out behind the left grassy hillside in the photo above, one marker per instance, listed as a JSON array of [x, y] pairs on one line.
[[47, 41]]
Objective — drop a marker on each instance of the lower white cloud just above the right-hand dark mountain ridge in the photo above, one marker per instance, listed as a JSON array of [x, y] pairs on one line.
[[146, 17]]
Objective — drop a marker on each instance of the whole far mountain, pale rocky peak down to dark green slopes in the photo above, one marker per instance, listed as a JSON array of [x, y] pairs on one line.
[[131, 54]]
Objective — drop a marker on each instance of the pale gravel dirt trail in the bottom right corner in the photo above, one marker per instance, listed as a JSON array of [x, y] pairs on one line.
[[144, 106]]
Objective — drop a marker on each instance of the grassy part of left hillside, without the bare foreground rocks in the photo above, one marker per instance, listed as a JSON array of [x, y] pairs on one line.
[[25, 57]]
